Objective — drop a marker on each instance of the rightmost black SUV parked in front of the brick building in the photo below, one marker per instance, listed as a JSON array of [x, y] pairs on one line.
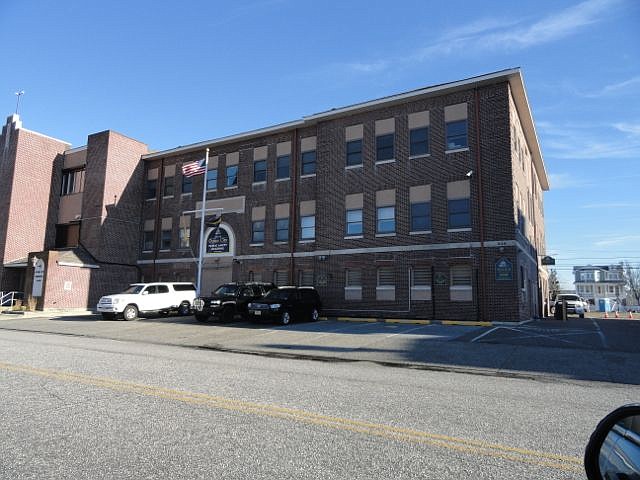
[[285, 304]]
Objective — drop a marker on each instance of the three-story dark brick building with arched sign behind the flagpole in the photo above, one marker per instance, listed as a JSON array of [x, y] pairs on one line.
[[425, 204]]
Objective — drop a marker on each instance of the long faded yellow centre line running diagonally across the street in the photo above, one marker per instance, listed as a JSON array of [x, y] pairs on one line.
[[518, 455]]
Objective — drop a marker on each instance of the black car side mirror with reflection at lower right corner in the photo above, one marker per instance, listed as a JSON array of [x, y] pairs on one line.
[[613, 451]]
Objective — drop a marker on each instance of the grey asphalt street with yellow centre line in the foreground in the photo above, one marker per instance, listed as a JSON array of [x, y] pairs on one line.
[[74, 407]]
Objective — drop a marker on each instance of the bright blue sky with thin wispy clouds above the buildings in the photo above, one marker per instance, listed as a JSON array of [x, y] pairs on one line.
[[173, 73]]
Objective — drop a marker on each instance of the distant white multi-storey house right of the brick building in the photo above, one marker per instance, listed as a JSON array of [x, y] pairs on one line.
[[594, 282]]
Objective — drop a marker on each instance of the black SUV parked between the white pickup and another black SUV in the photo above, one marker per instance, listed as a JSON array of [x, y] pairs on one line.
[[229, 300]]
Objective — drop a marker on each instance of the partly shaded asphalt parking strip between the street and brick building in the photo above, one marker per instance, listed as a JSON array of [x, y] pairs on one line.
[[583, 349]]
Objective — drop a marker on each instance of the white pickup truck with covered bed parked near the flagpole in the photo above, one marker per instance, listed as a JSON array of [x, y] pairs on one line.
[[148, 297]]
